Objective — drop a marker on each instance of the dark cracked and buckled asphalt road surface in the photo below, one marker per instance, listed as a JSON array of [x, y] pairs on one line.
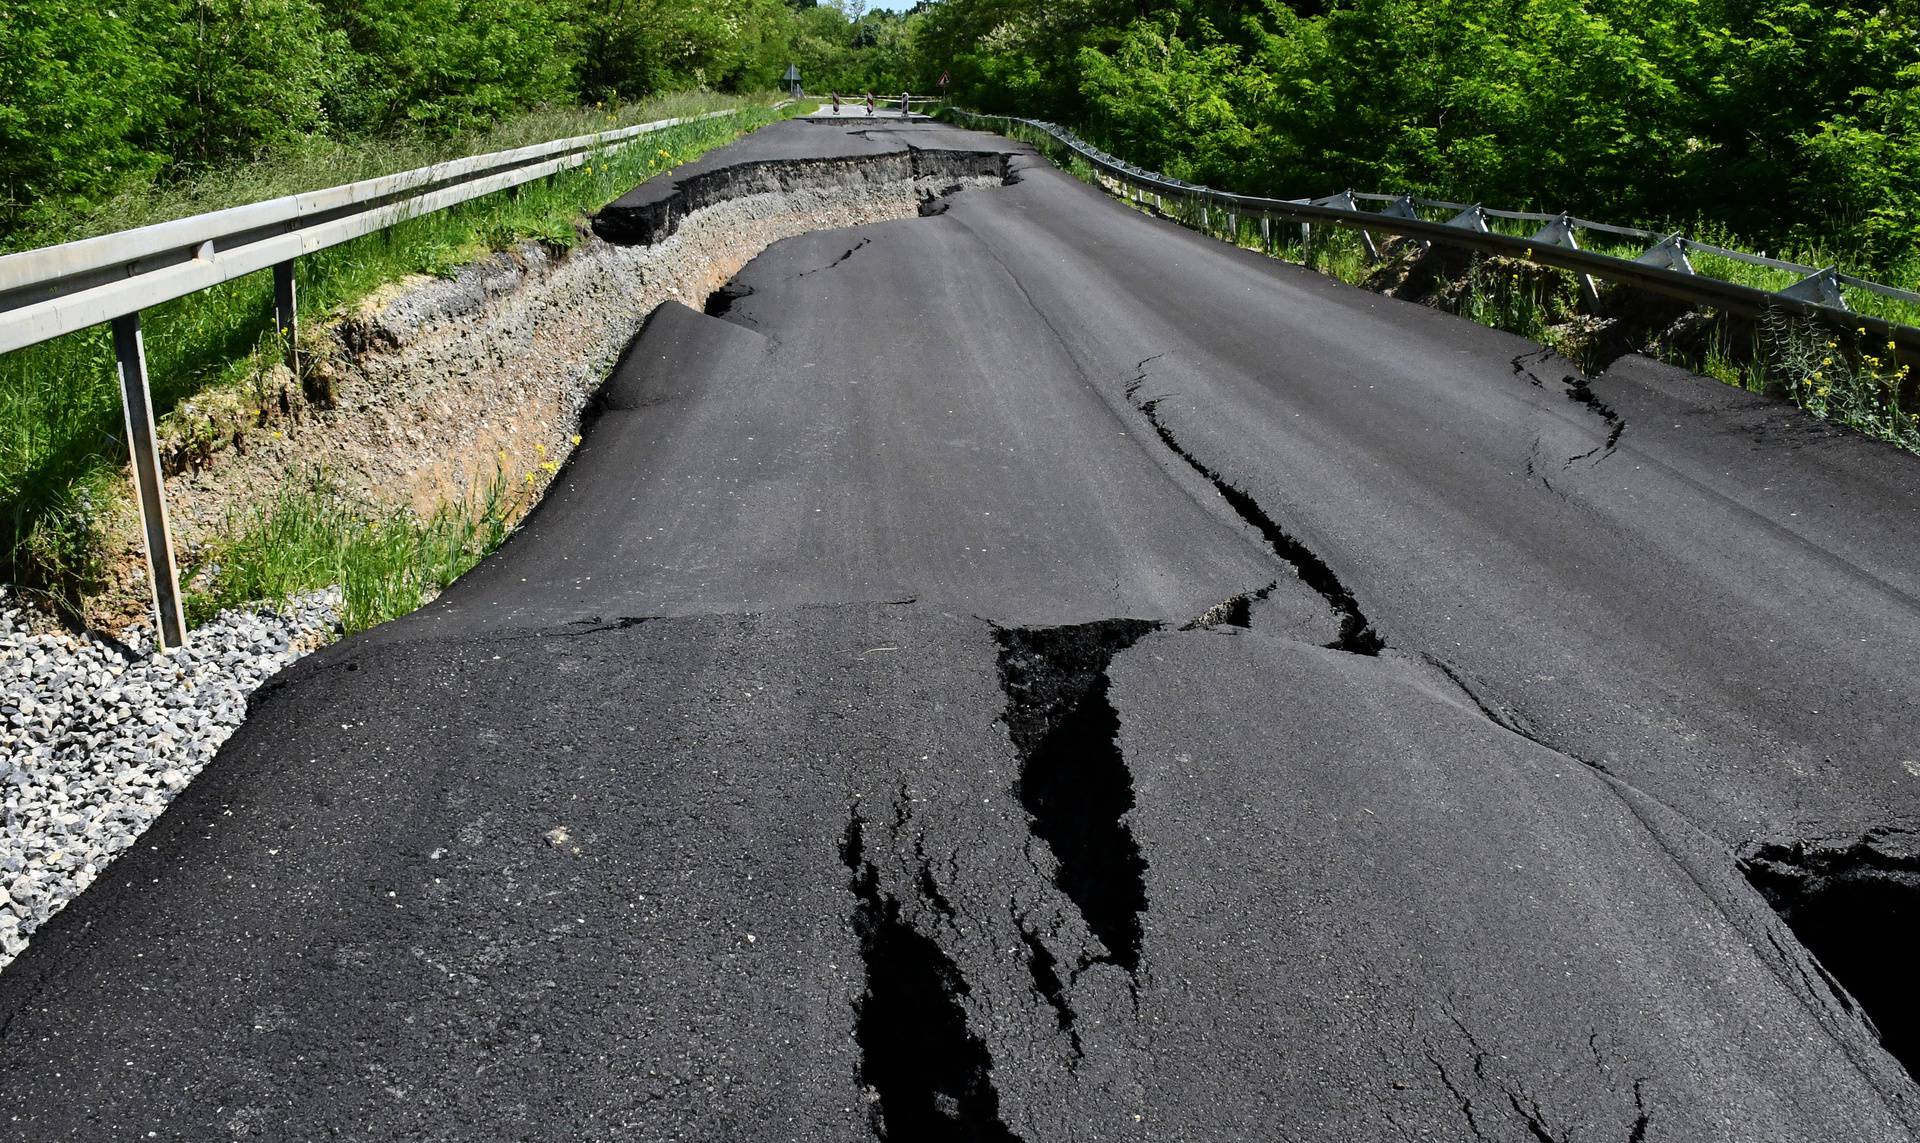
[[1097, 687]]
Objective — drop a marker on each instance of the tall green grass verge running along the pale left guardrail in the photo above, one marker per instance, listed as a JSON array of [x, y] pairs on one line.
[[60, 418]]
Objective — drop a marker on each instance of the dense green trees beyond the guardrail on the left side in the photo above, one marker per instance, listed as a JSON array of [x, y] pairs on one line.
[[105, 95]]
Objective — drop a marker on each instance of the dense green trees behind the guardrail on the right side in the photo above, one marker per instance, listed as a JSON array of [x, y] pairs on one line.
[[1777, 120]]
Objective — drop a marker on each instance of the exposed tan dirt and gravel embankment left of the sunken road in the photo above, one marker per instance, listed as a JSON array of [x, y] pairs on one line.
[[433, 391]]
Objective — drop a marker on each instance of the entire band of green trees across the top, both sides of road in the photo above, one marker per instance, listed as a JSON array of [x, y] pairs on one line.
[[1777, 120]]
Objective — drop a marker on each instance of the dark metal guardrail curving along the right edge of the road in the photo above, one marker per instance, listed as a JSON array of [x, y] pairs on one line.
[[1664, 268]]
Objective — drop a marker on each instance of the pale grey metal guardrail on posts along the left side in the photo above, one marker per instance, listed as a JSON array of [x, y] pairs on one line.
[[110, 280]]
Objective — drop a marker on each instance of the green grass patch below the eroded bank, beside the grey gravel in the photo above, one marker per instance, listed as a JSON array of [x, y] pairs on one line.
[[312, 537]]
